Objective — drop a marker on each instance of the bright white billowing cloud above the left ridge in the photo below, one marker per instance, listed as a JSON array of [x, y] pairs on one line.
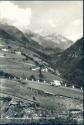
[[14, 15]]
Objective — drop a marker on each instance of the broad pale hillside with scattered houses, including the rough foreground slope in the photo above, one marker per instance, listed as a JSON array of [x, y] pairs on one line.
[[26, 73]]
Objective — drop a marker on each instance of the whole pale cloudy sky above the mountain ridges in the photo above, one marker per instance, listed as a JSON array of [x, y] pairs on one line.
[[45, 17]]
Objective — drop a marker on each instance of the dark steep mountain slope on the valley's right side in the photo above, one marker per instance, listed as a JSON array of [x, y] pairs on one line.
[[70, 63]]
